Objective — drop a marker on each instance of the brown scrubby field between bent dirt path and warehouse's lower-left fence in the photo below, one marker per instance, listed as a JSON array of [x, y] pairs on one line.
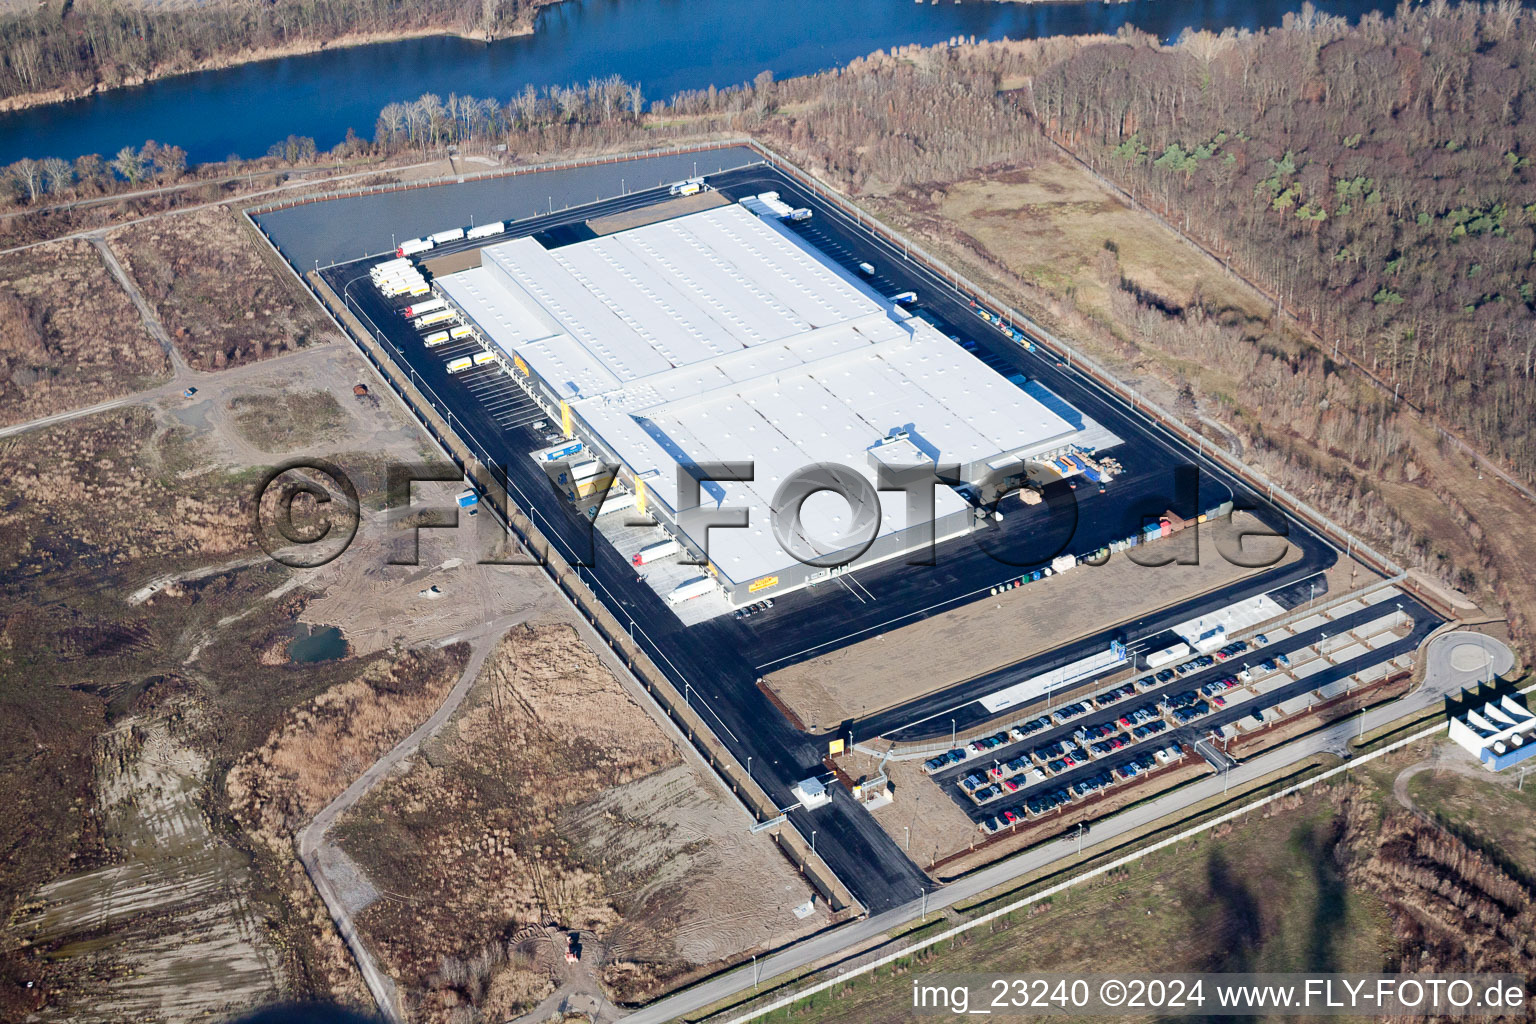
[[554, 801]]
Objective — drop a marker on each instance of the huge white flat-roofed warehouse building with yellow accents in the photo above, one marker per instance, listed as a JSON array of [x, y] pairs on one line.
[[721, 337]]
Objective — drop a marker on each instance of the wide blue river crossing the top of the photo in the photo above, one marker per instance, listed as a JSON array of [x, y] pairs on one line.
[[664, 45]]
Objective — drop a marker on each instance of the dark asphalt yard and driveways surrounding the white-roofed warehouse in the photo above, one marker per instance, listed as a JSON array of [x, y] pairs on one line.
[[720, 661]]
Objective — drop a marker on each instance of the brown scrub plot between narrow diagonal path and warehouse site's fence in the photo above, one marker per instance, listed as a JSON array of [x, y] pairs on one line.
[[216, 289]]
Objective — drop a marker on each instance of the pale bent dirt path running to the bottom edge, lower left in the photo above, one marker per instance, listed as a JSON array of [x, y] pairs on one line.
[[317, 856]]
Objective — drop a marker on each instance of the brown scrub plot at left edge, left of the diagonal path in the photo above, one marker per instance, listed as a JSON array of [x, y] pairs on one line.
[[70, 335]]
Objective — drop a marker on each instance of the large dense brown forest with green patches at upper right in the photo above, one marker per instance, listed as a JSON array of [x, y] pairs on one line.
[[1377, 180]]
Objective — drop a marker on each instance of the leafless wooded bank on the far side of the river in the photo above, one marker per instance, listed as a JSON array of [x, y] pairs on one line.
[[79, 45]]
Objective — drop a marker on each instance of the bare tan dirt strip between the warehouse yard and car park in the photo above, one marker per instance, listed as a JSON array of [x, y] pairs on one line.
[[1002, 630]]
